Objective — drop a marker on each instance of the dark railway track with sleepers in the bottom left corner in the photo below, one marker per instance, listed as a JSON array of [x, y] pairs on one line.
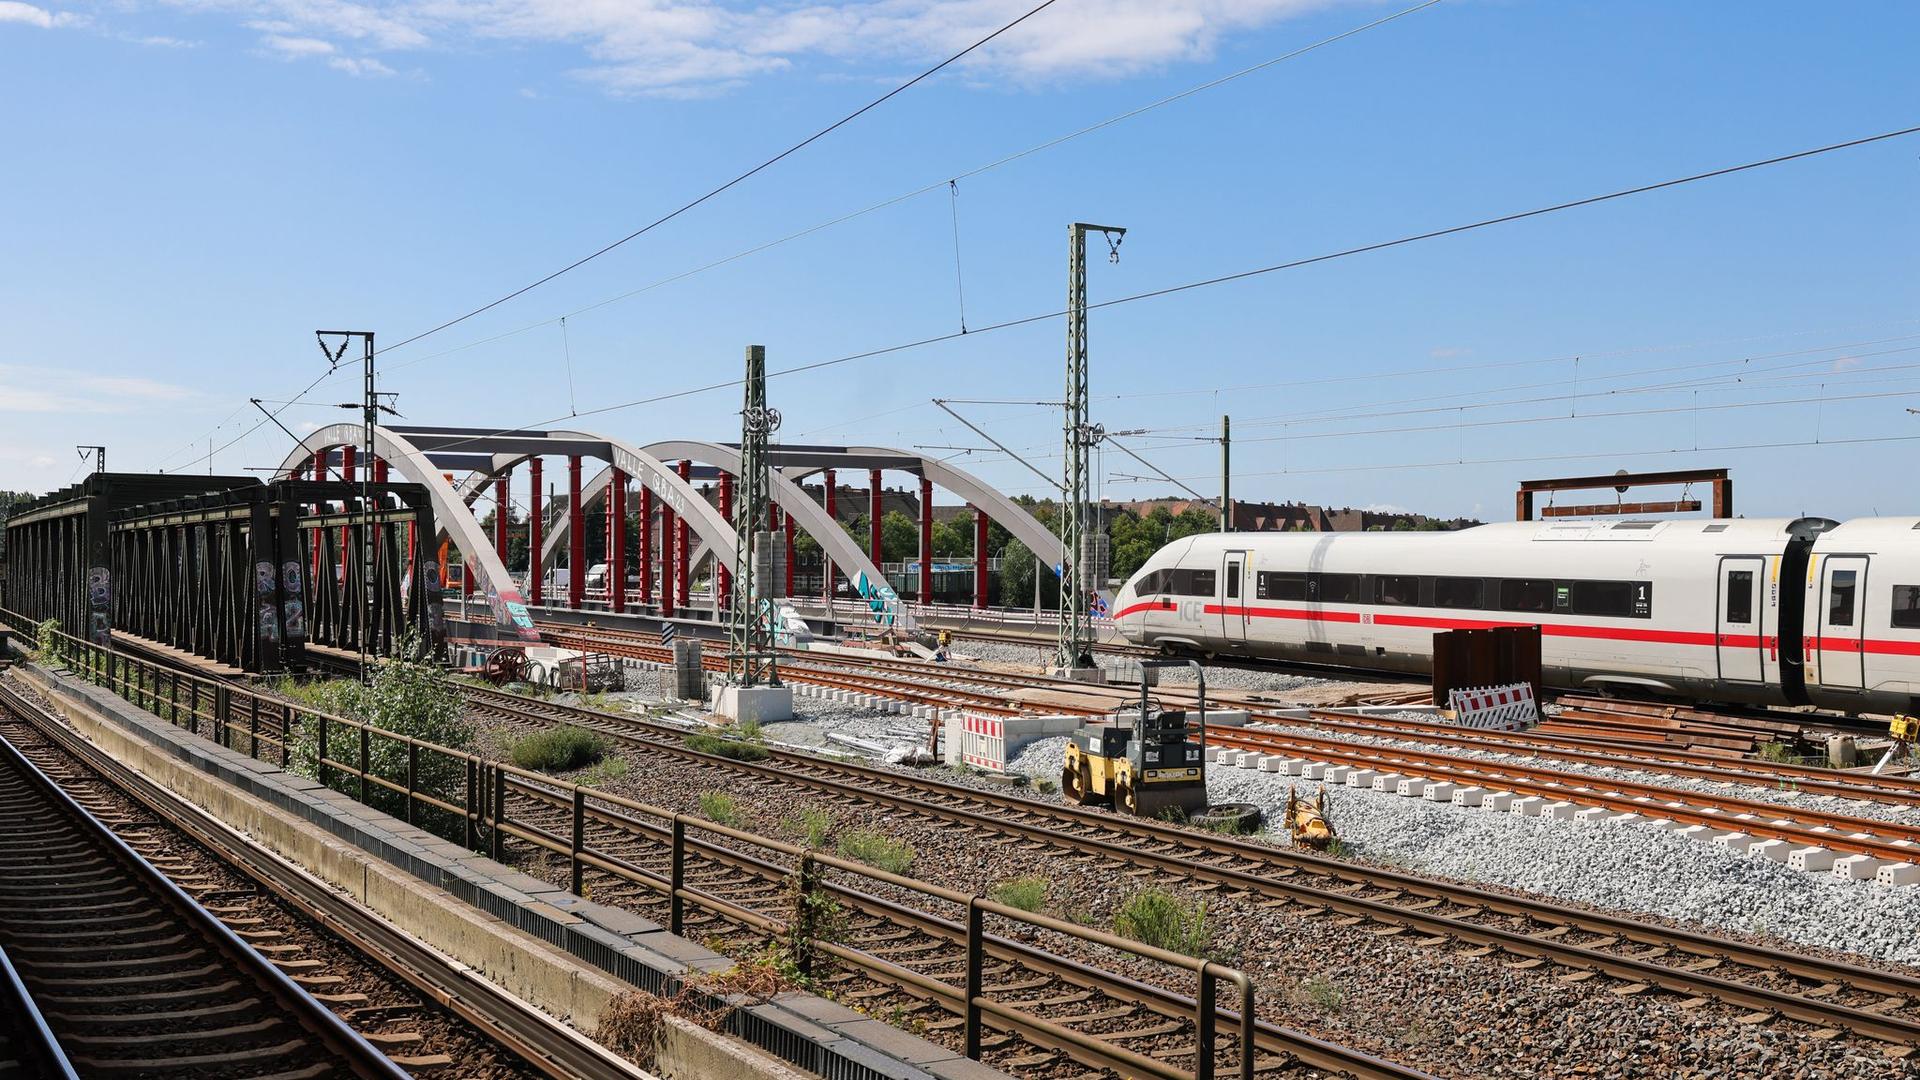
[[130, 973]]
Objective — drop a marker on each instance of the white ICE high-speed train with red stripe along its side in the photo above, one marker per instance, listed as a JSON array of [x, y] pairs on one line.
[[1758, 612]]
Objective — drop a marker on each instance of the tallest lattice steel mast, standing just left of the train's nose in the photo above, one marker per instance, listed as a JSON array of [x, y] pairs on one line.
[[1076, 518]]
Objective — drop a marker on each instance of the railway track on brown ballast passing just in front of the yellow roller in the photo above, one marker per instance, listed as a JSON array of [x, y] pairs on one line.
[[1629, 956]]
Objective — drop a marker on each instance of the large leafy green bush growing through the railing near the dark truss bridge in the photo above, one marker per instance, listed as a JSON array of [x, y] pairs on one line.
[[410, 699]]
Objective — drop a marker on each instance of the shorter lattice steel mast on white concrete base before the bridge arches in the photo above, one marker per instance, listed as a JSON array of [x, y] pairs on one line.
[[752, 658]]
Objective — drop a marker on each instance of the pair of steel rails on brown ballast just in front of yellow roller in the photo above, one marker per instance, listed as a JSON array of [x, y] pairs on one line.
[[786, 770]]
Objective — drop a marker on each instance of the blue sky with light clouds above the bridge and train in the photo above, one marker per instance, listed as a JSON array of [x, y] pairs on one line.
[[193, 187]]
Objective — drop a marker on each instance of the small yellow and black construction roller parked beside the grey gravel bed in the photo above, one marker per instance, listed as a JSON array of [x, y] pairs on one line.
[[1140, 758]]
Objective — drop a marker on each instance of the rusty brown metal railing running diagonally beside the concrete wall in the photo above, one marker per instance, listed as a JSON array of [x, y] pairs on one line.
[[343, 756]]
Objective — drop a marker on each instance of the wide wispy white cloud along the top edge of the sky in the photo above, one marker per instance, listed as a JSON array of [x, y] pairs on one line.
[[700, 47]]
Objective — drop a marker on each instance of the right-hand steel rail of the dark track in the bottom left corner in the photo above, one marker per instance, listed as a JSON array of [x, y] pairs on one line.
[[343, 1043]]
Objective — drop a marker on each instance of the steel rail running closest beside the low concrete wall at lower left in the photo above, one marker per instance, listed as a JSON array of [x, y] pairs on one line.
[[464, 993]]
